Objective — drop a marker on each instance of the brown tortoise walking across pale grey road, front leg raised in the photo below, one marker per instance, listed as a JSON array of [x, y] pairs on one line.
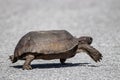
[[52, 44]]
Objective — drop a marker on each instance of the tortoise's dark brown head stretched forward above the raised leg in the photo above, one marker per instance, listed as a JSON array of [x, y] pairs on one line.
[[85, 40]]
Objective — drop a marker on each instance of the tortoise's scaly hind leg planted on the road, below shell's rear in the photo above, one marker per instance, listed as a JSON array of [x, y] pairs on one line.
[[29, 59]]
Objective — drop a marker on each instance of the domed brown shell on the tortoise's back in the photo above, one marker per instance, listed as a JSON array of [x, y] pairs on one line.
[[45, 42]]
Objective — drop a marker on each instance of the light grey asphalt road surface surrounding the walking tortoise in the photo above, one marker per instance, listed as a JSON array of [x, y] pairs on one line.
[[97, 18]]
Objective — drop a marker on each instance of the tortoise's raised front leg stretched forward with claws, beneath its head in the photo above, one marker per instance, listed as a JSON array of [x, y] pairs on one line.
[[92, 52]]
